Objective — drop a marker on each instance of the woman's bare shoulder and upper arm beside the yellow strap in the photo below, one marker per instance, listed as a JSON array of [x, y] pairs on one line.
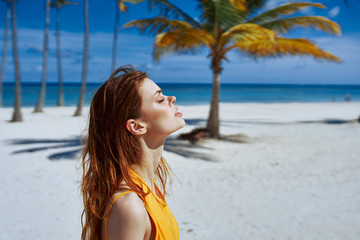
[[128, 218]]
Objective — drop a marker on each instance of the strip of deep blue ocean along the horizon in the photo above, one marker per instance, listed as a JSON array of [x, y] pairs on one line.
[[190, 94]]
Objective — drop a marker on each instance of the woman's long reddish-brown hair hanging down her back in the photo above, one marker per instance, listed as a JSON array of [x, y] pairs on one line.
[[110, 148]]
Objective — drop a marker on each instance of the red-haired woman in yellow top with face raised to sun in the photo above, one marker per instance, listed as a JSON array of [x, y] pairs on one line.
[[130, 120]]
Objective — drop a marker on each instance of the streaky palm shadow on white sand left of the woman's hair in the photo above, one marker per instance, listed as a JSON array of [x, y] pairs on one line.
[[47, 144]]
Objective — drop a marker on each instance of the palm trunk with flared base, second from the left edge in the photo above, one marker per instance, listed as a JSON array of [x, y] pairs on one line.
[[17, 116]]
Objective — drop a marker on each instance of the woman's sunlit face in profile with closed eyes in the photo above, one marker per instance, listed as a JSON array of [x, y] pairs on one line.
[[158, 111]]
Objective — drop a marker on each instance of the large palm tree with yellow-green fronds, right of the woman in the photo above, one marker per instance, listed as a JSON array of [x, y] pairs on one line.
[[232, 24]]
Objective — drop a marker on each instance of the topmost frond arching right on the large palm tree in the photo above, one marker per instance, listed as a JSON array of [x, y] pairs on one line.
[[284, 9]]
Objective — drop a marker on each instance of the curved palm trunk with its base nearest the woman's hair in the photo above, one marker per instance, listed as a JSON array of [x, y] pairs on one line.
[[78, 111]]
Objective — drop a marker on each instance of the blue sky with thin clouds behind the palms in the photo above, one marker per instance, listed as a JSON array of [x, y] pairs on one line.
[[136, 49]]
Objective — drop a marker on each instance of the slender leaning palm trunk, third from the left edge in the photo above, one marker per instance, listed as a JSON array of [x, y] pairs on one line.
[[39, 106]]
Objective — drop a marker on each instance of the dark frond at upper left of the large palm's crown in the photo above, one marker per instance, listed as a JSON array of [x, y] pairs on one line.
[[168, 9]]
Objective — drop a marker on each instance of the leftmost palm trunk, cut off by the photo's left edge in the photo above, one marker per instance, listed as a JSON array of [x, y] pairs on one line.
[[5, 46]]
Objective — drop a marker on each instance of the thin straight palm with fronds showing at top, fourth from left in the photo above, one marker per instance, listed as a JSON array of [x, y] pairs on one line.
[[58, 4]]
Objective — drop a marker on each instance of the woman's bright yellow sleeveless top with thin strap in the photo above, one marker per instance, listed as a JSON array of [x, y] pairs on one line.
[[164, 221]]
